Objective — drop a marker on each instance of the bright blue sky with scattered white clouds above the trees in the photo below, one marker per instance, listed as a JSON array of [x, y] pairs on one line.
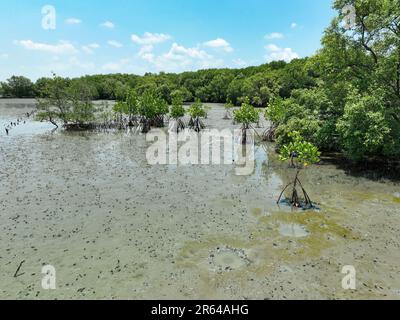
[[138, 36]]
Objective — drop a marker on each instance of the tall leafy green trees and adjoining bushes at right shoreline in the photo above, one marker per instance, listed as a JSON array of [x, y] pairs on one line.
[[354, 105]]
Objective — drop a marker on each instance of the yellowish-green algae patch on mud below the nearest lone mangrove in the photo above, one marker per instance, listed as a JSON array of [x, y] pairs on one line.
[[320, 232]]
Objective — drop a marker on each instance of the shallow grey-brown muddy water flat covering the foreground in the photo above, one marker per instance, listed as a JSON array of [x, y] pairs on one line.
[[115, 227]]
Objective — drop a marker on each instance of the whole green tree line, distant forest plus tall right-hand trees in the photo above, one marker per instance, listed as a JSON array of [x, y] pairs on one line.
[[345, 98]]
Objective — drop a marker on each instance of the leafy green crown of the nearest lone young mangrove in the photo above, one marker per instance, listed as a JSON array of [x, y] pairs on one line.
[[303, 151]]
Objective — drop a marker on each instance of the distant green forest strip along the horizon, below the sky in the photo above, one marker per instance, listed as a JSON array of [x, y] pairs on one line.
[[221, 85]]
